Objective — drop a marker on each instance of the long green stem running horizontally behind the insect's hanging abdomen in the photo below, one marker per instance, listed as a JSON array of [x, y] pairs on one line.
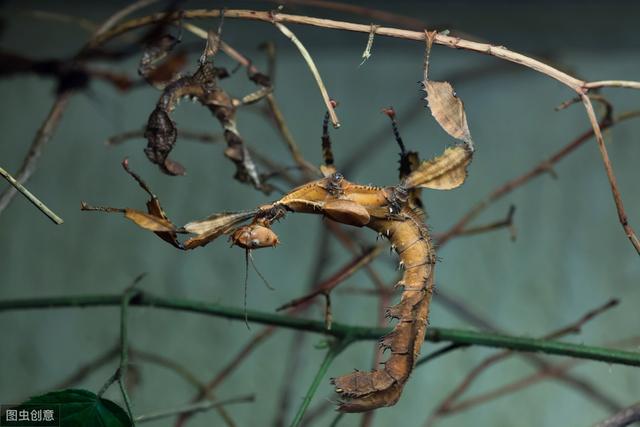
[[338, 330]]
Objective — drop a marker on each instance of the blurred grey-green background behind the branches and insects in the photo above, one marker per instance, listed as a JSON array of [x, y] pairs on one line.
[[570, 254]]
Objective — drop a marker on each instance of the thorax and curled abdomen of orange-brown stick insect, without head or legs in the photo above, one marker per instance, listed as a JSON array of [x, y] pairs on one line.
[[406, 231]]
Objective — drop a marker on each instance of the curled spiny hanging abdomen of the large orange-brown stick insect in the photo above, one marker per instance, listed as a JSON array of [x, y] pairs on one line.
[[364, 391]]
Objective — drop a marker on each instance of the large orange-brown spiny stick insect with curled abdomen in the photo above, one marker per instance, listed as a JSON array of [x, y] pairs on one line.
[[390, 211]]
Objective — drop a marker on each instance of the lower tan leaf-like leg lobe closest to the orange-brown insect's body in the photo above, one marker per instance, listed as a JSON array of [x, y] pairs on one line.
[[445, 172]]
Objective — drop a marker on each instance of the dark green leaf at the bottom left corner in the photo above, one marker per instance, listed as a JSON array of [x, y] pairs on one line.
[[81, 408]]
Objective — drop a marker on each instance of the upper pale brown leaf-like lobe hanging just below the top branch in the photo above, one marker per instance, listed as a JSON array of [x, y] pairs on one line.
[[447, 109]]
